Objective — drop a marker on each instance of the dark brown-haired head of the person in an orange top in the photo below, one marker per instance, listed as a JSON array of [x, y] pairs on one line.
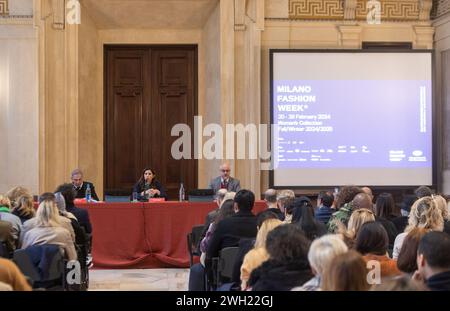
[[372, 238]]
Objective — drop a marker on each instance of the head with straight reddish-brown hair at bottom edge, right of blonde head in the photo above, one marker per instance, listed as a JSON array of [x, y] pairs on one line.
[[346, 272]]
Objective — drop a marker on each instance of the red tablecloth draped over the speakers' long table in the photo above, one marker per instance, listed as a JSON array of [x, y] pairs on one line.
[[145, 235]]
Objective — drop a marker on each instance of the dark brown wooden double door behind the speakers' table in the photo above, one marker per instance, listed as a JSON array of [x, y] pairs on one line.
[[148, 90]]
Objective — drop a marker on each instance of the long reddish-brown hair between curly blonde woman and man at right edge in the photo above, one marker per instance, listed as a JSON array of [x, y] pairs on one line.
[[407, 258]]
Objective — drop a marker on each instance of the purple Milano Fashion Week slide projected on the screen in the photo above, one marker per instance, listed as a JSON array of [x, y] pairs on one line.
[[353, 123]]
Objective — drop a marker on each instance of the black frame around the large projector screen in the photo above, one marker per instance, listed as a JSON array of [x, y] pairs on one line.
[[436, 122]]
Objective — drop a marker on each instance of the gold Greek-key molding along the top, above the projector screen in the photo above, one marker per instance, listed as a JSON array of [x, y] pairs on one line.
[[391, 10]]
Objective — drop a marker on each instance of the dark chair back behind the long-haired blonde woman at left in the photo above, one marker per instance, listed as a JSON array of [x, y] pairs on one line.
[[54, 269]]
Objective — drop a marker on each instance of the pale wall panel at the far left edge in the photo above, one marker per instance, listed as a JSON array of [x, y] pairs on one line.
[[18, 107]]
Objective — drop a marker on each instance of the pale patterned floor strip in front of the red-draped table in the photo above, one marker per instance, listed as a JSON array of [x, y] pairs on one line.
[[139, 280]]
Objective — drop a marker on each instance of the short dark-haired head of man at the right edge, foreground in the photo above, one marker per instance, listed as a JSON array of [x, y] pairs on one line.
[[433, 254]]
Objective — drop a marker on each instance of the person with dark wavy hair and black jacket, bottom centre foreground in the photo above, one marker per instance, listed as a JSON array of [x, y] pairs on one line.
[[287, 266]]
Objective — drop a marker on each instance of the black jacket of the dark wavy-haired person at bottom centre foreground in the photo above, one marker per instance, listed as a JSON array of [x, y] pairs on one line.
[[273, 275]]
